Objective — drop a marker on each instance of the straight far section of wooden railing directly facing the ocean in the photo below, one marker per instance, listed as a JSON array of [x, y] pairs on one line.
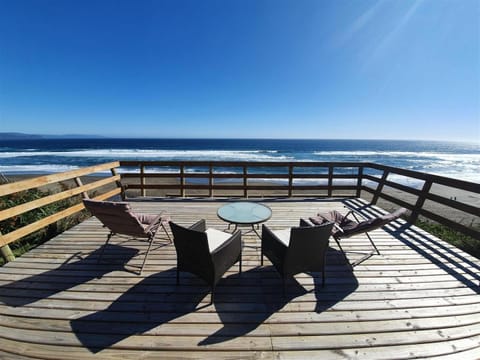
[[266, 177]]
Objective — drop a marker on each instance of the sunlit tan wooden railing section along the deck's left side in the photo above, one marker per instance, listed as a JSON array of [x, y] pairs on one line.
[[48, 180]]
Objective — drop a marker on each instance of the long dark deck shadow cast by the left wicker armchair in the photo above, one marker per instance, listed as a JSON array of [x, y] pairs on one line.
[[151, 302]]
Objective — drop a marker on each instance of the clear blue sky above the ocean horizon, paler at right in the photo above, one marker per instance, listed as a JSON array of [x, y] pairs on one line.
[[386, 69]]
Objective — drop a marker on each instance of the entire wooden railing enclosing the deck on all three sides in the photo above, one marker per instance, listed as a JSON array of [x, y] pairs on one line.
[[246, 179]]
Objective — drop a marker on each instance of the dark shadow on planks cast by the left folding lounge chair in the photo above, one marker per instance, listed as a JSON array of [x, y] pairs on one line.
[[48, 283]]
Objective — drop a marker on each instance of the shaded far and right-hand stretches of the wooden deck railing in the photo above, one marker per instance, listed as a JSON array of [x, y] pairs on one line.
[[333, 179]]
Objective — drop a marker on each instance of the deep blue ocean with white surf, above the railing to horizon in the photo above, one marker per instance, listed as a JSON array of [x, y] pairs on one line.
[[43, 156]]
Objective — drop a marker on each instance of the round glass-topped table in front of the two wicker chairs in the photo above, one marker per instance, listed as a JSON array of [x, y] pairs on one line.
[[244, 213]]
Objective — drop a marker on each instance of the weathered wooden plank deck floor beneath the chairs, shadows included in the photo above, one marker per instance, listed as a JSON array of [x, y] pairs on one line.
[[420, 298]]
